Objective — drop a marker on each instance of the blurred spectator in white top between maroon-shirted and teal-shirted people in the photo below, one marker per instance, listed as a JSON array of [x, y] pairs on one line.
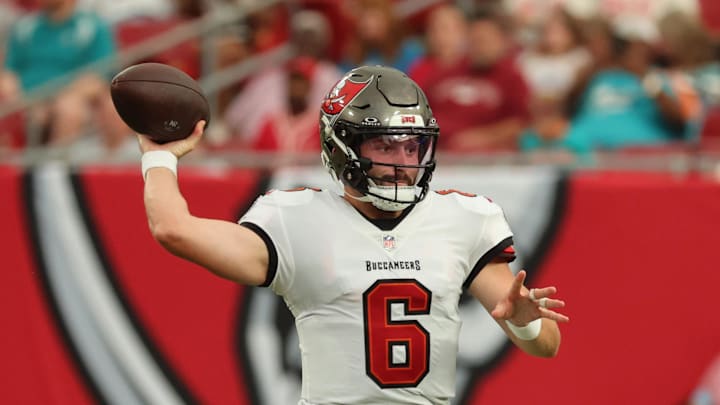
[[550, 66]]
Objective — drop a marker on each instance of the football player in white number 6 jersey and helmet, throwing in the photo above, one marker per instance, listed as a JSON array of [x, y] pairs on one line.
[[373, 271]]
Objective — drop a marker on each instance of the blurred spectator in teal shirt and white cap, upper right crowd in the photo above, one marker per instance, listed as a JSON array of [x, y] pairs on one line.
[[631, 104]]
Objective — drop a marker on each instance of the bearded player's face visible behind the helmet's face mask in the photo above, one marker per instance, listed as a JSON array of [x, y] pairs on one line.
[[392, 150]]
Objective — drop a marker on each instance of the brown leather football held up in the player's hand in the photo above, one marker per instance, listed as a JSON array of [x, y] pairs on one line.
[[159, 101]]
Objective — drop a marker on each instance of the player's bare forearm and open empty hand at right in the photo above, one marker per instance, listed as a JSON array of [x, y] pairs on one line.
[[507, 299]]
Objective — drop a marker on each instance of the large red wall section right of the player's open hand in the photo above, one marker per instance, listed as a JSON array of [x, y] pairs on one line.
[[636, 260]]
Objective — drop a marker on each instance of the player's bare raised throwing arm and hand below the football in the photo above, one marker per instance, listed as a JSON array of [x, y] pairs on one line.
[[225, 248]]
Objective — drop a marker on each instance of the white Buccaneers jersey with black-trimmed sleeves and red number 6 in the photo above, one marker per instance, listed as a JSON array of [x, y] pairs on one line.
[[376, 311]]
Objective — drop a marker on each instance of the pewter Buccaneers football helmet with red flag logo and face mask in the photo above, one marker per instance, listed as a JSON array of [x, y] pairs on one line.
[[372, 101]]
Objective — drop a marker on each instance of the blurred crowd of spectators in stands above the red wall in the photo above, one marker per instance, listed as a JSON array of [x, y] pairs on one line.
[[512, 75]]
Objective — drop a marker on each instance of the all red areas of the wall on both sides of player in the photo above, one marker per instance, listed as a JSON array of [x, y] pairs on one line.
[[634, 256]]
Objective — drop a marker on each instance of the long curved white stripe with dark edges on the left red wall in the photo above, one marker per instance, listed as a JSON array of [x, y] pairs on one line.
[[118, 360]]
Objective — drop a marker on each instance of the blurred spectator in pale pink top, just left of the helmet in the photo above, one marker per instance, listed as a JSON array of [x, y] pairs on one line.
[[266, 92]]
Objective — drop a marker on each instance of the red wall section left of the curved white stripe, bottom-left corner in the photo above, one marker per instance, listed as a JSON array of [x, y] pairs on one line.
[[36, 368]]
